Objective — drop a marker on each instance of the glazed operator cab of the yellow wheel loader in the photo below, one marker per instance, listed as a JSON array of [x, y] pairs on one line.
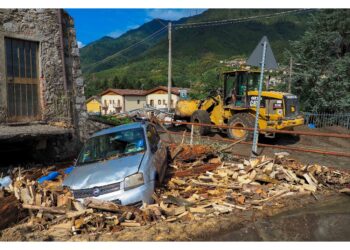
[[237, 83]]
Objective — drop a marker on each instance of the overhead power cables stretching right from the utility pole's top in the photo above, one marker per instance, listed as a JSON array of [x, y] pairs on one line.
[[236, 20]]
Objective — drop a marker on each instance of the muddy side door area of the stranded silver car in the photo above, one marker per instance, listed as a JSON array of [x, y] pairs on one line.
[[159, 150]]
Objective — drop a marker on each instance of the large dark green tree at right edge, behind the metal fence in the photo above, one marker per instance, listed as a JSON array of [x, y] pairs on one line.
[[321, 75]]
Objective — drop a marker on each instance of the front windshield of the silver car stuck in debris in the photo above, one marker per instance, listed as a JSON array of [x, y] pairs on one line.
[[113, 145]]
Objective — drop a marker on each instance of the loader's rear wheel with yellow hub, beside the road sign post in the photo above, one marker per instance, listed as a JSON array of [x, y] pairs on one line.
[[244, 120]]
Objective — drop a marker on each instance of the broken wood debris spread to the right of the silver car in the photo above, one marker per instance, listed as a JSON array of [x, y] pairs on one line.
[[200, 184]]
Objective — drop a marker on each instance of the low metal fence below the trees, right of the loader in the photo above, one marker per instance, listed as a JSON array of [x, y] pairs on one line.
[[320, 120]]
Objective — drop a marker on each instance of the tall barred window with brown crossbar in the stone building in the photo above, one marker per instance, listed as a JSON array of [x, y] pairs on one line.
[[22, 80]]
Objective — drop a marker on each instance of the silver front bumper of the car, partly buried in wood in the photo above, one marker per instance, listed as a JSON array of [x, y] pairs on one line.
[[130, 197]]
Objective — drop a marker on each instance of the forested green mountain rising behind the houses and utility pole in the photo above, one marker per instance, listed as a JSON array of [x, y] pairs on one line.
[[196, 51]]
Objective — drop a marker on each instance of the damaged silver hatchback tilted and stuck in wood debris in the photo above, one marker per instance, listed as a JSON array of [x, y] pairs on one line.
[[121, 164]]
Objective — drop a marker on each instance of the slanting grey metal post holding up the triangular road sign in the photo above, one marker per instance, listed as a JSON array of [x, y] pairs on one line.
[[257, 105]]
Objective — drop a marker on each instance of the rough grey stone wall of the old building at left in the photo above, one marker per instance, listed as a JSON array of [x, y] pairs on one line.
[[61, 83]]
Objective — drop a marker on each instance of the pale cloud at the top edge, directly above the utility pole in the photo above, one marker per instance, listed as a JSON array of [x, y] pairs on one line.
[[173, 14]]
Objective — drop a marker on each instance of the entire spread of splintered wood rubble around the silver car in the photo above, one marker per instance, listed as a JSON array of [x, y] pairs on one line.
[[199, 185]]
